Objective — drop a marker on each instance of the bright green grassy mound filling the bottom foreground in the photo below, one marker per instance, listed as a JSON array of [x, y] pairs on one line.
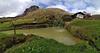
[[42, 45]]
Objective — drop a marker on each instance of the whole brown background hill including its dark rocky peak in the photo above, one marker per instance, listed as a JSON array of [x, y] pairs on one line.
[[34, 13]]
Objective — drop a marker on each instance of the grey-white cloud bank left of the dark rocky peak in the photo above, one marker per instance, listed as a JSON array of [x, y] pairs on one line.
[[13, 7]]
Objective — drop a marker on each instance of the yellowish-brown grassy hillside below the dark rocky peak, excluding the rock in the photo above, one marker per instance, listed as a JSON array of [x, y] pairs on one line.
[[38, 16]]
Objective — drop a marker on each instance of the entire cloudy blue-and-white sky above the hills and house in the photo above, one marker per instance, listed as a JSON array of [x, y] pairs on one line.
[[11, 8]]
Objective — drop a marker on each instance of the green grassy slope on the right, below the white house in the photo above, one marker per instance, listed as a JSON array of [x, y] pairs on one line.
[[90, 28]]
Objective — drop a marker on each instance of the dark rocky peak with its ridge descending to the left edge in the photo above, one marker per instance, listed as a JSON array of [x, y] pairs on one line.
[[30, 9]]
